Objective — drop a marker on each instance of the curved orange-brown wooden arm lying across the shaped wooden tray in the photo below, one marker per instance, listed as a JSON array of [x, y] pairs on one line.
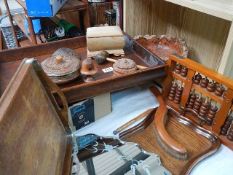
[[165, 140]]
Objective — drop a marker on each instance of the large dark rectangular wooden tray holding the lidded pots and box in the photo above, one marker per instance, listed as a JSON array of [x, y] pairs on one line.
[[77, 89]]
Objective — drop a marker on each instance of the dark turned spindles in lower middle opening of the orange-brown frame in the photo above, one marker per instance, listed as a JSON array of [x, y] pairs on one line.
[[202, 107]]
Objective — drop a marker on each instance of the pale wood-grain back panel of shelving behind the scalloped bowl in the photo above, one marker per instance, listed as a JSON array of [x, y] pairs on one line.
[[205, 35]]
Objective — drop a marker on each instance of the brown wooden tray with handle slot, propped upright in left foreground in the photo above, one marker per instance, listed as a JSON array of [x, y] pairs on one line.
[[35, 132]]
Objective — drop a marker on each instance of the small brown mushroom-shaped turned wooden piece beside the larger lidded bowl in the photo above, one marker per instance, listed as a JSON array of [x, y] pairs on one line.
[[88, 69]]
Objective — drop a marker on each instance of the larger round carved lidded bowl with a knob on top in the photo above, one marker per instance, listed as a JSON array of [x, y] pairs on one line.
[[63, 65]]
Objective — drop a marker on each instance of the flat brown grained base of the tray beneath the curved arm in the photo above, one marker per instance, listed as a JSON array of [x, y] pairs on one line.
[[196, 144]]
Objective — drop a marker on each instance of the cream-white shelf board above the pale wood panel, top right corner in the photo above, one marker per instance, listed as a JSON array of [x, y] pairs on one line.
[[223, 10]]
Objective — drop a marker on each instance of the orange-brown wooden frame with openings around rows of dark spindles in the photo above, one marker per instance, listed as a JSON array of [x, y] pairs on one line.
[[224, 101]]
